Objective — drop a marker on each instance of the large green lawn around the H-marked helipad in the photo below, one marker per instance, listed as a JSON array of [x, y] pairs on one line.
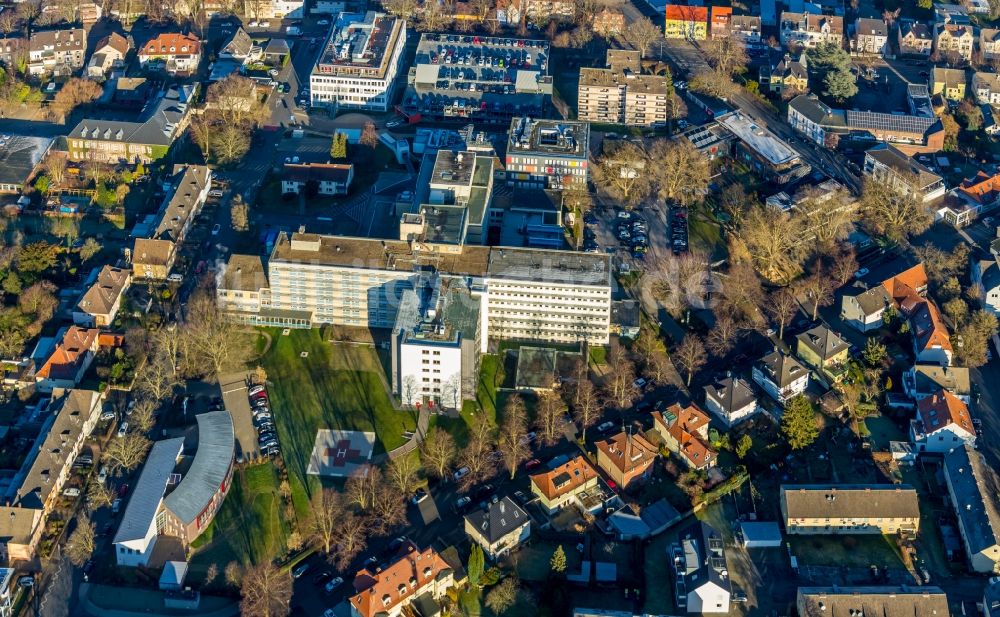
[[337, 386]]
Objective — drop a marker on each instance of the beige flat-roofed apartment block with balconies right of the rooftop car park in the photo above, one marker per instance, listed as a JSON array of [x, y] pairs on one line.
[[619, 94]]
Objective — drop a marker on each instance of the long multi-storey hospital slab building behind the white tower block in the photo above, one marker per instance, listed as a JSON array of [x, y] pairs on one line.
[[542, 295]]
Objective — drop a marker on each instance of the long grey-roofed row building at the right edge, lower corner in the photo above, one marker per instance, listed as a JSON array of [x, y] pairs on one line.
[[972, 488]]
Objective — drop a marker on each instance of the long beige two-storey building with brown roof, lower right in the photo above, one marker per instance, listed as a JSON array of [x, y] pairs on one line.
[[849, 509]]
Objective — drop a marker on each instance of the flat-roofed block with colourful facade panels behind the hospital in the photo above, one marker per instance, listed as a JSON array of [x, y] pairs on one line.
[[547, 154]]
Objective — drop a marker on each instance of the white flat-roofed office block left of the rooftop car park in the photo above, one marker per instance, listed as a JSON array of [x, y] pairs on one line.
[[358, 65]]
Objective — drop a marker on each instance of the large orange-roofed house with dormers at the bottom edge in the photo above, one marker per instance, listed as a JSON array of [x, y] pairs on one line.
[[413, 577]]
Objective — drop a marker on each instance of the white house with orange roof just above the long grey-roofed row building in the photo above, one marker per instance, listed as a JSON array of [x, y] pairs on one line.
[[942, 423]]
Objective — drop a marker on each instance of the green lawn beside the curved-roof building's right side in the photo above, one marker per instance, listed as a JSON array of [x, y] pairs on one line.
[[250, 527]]
